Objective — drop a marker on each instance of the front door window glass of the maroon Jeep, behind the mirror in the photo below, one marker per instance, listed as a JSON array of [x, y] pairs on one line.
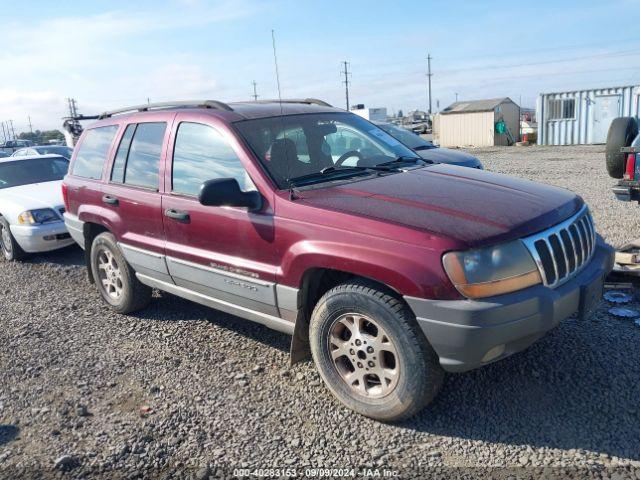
[[201, 154]]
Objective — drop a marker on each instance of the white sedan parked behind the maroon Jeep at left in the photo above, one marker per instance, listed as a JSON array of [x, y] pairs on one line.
[[31, 205]]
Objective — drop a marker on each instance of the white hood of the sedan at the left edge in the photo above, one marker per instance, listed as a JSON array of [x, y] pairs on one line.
[[16, 200]]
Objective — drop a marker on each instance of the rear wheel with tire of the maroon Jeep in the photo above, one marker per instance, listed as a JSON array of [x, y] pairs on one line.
[[115, 279]]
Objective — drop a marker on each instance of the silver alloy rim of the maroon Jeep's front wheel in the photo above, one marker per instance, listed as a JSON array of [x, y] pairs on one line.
[[364, 355]]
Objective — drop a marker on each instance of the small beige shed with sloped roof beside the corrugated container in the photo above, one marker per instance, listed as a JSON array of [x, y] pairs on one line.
[[474, 123]]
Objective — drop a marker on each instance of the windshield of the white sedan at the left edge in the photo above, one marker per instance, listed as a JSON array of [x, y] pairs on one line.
[[38, 170]]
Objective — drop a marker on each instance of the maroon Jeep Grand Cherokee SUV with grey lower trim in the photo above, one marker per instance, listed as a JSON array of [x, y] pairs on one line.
[[312, 221]]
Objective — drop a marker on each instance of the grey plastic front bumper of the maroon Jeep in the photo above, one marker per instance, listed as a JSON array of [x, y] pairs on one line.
[[468, 334]]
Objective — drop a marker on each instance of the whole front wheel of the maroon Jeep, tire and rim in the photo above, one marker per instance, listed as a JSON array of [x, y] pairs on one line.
[[409, 365]]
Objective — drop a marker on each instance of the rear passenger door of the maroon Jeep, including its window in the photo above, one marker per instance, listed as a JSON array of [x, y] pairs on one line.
[[131, 196]]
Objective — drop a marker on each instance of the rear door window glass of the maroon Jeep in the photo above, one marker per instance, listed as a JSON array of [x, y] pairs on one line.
[[137, 161]]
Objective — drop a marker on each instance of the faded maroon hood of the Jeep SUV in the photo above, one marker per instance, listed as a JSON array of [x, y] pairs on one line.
[[473, 207]]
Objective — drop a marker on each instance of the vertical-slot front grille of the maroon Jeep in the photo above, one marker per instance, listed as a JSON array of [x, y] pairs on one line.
[[563, 250]]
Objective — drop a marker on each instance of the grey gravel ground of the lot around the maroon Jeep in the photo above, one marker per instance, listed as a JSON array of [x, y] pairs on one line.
[[183, 391]]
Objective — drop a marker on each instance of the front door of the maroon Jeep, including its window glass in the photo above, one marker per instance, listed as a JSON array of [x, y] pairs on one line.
[[224, 253]]
